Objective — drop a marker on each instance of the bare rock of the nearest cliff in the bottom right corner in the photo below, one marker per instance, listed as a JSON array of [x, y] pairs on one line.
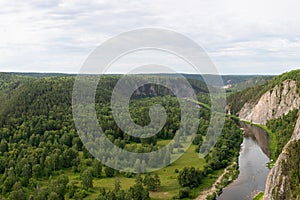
[[278, 184]]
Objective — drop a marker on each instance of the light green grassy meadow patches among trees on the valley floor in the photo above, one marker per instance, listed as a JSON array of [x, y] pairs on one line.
[[168, 176]]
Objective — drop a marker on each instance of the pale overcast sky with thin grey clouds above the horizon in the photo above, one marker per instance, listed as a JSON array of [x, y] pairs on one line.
[[241, 37]]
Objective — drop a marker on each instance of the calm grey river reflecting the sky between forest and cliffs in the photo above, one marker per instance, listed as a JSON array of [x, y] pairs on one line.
[[254, 156]]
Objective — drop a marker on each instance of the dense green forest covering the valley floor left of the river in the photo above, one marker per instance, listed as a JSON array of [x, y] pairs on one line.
[[42, 157]]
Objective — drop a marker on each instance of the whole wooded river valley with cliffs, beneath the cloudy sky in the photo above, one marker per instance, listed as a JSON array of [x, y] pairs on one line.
[[42, 157]]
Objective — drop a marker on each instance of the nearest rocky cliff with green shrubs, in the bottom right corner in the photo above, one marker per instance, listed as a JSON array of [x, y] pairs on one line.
[[282, 183]]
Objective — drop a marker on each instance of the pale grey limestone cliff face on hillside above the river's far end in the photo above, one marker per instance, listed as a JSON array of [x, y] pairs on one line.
[[273, 104]]
